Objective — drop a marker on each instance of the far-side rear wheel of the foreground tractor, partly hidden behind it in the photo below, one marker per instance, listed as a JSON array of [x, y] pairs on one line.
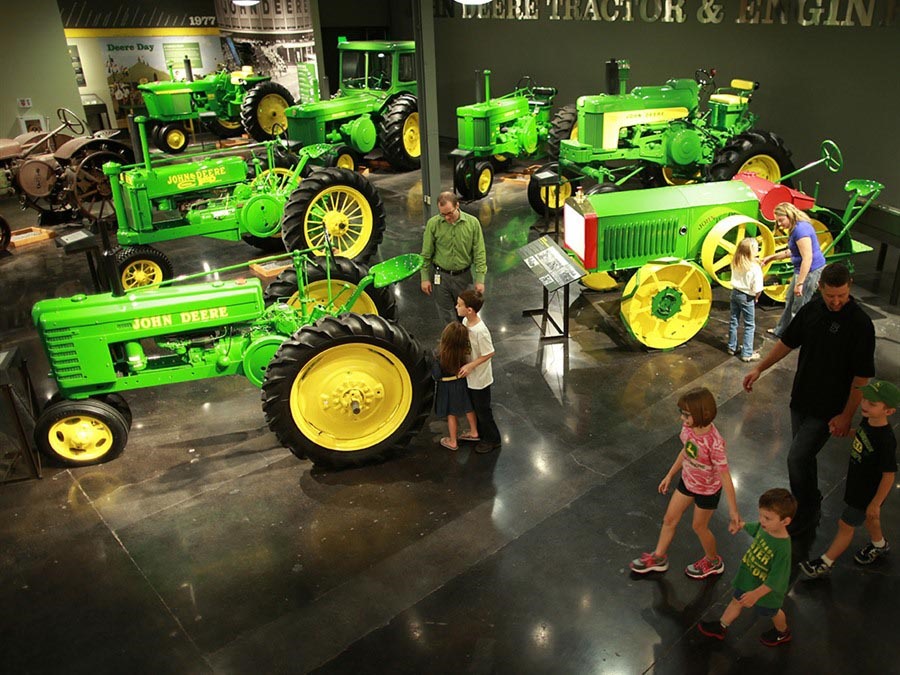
[[379, 301]]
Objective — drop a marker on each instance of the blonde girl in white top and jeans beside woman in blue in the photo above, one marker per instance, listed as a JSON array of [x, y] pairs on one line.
[[746, 286]]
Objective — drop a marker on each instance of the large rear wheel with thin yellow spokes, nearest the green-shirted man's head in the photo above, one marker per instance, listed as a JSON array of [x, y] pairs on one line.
[[340, 202]]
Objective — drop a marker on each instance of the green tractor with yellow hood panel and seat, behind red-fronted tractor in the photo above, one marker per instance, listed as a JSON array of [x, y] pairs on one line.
[[660, 135]]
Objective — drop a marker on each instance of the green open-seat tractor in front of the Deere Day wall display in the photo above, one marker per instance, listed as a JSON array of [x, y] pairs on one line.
[[226, 102]]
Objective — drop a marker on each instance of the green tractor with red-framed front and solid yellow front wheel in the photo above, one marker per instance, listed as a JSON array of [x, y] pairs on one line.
[[678, 241]]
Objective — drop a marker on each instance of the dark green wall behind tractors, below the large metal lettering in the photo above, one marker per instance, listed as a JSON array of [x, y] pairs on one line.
[[816, 82]]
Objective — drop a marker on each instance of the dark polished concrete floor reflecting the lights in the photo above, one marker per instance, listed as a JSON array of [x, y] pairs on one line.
[[206, 547]]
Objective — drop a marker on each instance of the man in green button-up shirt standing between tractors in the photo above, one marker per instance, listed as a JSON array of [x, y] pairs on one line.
[[453, 249]]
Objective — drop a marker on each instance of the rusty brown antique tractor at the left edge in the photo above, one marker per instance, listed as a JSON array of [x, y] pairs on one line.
[[61, 175]]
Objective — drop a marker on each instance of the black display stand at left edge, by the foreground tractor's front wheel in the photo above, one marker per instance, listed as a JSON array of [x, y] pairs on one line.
[[18, 407]]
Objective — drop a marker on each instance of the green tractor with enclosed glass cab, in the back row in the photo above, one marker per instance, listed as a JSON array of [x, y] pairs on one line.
[[376, 105]]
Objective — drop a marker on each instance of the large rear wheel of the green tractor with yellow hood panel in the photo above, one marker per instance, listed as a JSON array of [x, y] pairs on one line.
[[757, 151]]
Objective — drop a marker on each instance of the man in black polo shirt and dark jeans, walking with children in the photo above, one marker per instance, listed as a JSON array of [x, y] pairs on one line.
[[837, 356]]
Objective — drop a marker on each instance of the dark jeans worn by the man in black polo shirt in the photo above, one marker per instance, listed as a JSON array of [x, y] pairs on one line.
[[809, 437]]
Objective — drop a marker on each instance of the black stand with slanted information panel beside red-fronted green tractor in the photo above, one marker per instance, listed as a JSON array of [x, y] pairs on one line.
[[555, 270]]
